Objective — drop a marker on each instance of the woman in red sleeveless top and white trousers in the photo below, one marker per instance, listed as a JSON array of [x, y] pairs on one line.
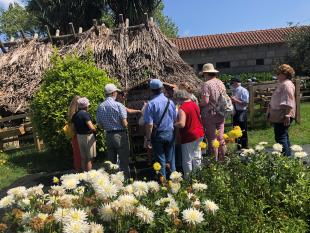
[[190, 129]]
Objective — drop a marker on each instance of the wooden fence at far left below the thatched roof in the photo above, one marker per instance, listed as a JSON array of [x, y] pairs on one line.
[[21, 132]]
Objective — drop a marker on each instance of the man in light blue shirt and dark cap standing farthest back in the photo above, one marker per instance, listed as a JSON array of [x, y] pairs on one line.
[[240, 100]]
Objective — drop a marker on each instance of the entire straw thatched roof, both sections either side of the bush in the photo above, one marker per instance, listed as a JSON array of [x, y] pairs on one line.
[[131, 56]]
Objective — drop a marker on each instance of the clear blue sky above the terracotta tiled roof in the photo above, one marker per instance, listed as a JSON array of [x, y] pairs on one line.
[[201, 17]]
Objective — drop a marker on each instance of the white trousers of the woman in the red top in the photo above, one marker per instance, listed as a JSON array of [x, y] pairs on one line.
[[191, 156]]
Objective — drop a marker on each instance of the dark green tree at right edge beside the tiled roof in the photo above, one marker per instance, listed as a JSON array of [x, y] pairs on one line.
[[299, 50]]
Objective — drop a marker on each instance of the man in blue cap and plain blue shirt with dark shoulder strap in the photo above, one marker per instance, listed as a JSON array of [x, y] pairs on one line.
[[160, 135]]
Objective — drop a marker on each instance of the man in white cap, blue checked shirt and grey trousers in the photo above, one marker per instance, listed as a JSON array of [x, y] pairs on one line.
[[112, 117]]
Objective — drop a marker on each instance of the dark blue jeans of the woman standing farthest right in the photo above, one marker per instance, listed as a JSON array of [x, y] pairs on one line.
[[281, 137]]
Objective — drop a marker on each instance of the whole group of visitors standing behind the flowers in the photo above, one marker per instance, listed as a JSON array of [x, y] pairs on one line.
[[192, 118]]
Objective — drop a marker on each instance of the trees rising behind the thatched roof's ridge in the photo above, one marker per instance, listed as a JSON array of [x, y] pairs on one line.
[[58, 15]]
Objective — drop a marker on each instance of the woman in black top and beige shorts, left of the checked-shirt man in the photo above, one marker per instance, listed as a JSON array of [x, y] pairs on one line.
[[85, 134]]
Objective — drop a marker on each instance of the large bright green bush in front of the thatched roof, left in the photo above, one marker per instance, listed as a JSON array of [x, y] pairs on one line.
[[68, 76]]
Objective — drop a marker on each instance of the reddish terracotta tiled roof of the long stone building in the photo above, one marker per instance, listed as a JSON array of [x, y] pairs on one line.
[[269, 36]]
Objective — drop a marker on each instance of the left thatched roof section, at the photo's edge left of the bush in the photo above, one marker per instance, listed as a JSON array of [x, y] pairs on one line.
[[21, 70]]
